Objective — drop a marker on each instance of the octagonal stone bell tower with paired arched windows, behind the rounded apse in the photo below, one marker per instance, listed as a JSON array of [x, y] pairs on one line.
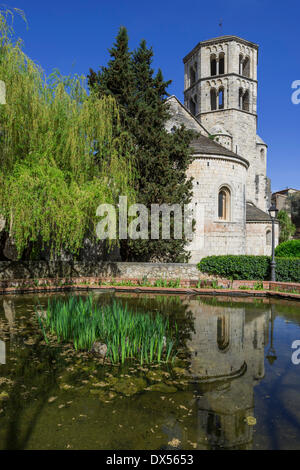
[[220, 89]]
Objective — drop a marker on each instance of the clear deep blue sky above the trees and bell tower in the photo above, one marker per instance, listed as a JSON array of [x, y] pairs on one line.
[[75, 35]]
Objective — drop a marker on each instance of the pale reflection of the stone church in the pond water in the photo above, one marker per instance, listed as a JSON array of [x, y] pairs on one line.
[[227, 361]]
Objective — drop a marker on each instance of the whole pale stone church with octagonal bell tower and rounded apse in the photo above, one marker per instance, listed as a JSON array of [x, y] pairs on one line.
[[229, 165]]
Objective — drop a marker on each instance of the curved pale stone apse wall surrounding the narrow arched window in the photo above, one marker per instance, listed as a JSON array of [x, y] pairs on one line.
[[212, 236]]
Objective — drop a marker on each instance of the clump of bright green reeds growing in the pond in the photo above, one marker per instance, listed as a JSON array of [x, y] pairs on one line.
[[127, 335]]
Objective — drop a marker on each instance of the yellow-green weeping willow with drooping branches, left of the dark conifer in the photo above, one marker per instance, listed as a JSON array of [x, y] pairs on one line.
[[62, 153]]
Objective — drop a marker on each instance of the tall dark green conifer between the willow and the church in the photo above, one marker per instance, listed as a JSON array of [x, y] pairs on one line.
[[162, 158]]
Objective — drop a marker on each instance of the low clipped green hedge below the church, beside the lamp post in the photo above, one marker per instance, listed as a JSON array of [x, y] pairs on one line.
[[251, 267]]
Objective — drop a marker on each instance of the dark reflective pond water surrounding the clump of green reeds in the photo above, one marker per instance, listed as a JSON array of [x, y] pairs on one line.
[[233, 385]]
